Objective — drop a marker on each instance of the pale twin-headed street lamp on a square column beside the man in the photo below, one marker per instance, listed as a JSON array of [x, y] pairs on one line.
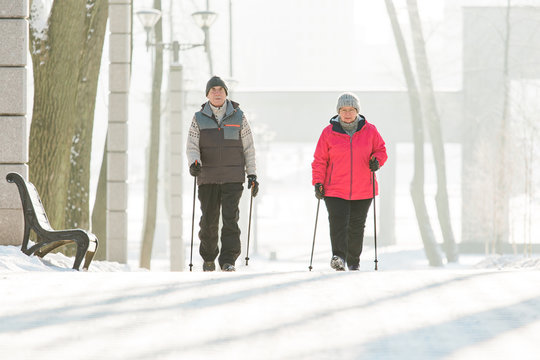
[[204, 20]]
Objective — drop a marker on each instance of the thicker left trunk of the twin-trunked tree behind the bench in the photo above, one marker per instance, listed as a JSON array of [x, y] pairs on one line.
[[56, 61]]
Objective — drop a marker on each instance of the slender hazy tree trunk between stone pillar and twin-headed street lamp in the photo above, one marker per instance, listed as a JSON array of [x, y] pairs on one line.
[[153, 160]]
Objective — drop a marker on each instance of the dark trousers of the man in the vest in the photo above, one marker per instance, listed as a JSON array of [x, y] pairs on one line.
[[212, 198]]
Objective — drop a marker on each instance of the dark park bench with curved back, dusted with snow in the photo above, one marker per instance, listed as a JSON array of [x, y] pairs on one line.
[[49, 239]]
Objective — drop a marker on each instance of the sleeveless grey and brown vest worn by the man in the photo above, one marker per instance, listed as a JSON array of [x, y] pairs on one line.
[[222, 153]]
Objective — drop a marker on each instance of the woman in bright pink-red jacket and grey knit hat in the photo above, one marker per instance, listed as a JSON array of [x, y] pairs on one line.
[[348, 150]]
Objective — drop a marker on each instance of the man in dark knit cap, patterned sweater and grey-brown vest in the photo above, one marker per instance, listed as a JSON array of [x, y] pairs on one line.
[[220, 152]]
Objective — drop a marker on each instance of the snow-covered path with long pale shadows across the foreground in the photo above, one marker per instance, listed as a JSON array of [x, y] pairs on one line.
[[413, 314]]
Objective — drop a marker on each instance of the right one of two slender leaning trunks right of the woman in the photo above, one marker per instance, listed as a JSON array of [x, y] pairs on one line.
[[434, 127]]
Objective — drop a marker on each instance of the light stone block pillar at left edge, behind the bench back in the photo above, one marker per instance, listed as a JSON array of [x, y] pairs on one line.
[[13, 121]]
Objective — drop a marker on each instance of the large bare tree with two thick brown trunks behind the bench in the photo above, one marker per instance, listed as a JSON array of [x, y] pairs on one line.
[[66, 56]]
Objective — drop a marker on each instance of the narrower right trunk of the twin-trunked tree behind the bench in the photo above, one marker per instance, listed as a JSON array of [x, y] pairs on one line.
[[77, 211]]
